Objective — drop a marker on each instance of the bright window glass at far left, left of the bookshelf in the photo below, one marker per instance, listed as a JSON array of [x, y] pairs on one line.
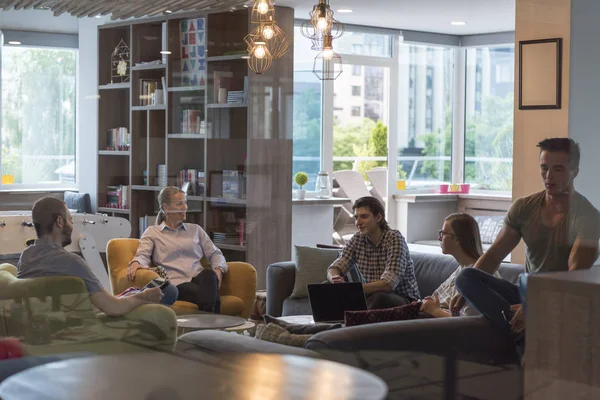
[[38, 116]]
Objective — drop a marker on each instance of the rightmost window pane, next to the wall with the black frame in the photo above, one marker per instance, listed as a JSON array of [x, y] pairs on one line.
[[489, 117]]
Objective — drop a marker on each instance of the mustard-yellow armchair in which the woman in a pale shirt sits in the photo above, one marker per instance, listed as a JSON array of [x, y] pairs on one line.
[[238, 289]]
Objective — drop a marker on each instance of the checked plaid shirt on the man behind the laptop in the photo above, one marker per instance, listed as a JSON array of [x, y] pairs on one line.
[[388, 261]]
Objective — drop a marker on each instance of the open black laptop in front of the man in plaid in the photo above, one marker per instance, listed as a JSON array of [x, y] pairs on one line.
[[328, 301]]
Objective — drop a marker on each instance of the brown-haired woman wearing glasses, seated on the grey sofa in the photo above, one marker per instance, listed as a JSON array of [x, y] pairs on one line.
[[459, 237]]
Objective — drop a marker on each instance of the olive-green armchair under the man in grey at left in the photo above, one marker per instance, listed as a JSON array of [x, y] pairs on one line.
[[63, 298]]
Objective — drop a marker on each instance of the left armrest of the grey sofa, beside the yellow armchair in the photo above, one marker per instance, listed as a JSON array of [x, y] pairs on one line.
[[280, 284]]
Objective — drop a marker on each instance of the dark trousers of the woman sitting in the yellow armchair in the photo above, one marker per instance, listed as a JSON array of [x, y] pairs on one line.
[[203, 291]]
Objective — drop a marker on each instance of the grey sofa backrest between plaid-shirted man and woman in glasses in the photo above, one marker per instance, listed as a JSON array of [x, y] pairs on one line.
[[432, 270]]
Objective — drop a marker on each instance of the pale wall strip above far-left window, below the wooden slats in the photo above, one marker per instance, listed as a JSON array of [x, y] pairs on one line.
[[37, 20]]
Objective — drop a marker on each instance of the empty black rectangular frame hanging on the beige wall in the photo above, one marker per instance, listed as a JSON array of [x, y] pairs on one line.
[[540, 74]]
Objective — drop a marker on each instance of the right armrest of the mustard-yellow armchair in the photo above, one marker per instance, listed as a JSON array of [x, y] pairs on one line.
[[240, 281]]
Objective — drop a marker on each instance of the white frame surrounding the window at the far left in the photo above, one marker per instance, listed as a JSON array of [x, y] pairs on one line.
[[47, 40]]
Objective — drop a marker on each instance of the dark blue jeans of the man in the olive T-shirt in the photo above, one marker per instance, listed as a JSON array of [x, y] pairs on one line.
[[489, 295]]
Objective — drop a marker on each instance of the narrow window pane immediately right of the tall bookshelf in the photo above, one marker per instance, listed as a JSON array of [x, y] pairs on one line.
[[307, 111]]
